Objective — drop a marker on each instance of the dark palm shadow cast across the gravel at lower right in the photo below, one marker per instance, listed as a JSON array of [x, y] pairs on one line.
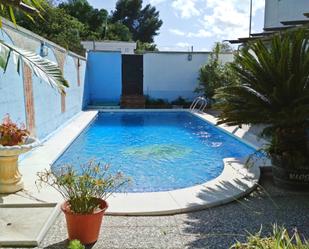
[[220, 227]]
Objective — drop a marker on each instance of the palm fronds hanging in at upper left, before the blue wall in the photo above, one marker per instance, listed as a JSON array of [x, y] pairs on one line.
[[43, 68]]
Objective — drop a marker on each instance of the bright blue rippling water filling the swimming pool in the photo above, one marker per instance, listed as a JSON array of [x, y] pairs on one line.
[[159, 151]]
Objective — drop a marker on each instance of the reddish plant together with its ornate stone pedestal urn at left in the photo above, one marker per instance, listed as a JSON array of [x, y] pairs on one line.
[[14, 140]]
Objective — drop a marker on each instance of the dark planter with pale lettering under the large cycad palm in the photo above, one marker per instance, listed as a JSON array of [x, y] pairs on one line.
[[289, 177]]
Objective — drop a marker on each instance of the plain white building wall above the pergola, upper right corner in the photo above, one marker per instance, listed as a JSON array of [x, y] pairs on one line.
[[277, 11]]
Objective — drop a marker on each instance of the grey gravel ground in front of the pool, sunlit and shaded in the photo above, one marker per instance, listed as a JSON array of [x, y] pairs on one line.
[[217, 227]]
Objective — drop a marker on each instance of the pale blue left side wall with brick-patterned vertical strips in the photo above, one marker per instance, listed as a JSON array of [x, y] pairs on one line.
[[32, 101]]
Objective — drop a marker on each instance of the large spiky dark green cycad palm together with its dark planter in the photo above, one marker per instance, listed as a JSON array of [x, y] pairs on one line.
[[274, 90]]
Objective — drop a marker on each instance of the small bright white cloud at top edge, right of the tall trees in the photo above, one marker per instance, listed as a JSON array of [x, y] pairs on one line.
[[186, 8]]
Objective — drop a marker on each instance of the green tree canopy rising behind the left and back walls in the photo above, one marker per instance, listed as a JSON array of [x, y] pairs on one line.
[[69, 22]]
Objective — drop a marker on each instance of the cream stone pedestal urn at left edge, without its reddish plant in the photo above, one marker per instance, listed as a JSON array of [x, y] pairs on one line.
[[10, 177]]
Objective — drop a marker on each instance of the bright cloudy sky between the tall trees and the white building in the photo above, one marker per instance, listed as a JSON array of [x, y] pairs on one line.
[[212, 19]]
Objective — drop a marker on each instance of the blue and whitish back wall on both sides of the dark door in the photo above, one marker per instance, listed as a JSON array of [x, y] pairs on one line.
[[166, 75]]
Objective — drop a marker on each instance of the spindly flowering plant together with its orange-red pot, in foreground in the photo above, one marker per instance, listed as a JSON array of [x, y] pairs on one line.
[[85, 192]]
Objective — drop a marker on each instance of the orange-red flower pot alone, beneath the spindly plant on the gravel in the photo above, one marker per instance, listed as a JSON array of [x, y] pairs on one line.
[[84, 227]]
